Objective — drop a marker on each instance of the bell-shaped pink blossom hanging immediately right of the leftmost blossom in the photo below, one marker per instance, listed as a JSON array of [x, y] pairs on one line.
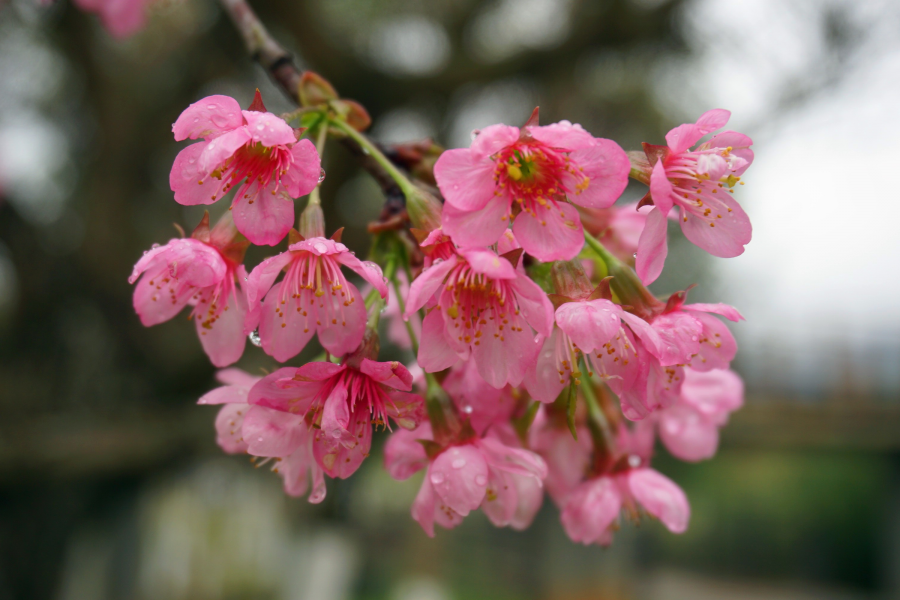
[[313, 297]]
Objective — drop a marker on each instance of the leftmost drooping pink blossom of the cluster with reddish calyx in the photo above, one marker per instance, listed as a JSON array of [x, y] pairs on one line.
[[203, 271]]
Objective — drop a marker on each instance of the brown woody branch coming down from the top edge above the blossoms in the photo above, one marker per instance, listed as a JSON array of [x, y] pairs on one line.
[[280, 66]]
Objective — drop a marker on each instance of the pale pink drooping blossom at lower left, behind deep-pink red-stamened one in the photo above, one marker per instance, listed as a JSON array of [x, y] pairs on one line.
[[296, 466]]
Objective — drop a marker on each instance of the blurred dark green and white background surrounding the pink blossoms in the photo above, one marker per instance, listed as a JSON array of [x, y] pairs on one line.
[[111, 486]]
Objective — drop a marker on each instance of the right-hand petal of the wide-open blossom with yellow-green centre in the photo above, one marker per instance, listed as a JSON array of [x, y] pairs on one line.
[[607, 166]]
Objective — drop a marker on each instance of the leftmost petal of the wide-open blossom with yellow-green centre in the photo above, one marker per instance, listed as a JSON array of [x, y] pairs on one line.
[[465, 180]]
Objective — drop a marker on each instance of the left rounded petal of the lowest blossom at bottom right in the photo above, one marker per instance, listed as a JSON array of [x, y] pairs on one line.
[[590, 510]]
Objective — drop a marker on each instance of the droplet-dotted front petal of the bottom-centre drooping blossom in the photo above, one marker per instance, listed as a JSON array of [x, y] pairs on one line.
[[459, 476]]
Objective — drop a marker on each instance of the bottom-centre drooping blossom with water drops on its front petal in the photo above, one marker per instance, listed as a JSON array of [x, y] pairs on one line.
[[504, 481]]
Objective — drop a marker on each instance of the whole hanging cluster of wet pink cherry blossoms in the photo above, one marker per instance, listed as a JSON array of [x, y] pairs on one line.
[[539, 360]]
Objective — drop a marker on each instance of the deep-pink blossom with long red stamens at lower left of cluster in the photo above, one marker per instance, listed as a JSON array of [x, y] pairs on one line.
[[342, 401]]
